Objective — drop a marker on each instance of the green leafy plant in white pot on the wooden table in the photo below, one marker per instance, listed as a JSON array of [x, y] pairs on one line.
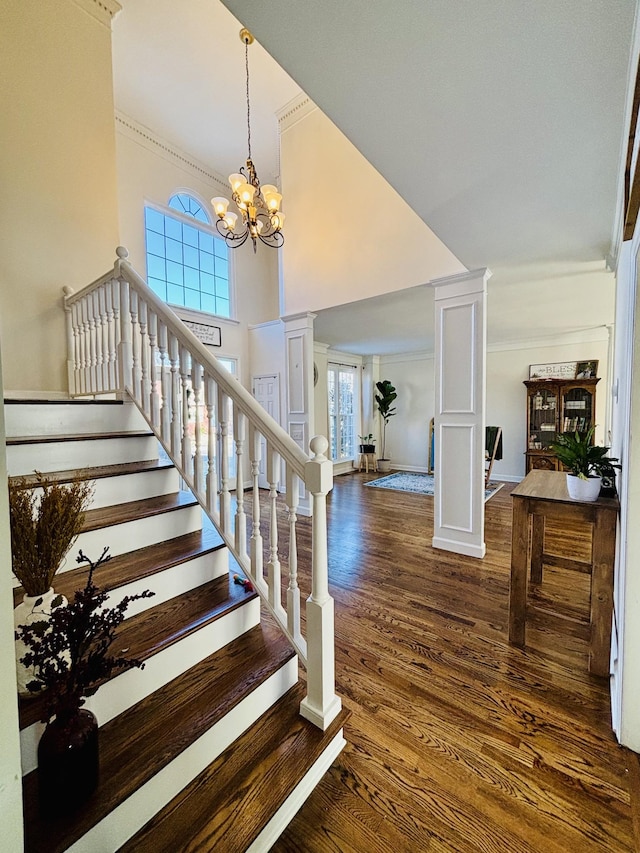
[[585, 462]]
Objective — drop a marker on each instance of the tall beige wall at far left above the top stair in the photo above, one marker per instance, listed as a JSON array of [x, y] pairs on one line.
[[58, 208]]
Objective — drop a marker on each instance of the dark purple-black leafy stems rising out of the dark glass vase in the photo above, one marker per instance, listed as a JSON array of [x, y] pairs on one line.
[[69, 652]]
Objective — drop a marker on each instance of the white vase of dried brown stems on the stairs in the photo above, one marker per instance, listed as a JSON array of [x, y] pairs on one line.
[[44, 523]]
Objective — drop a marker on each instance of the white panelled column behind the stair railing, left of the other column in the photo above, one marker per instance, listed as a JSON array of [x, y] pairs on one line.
[[298, 346]]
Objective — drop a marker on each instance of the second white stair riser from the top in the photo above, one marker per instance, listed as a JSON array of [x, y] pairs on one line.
[[68, 455]]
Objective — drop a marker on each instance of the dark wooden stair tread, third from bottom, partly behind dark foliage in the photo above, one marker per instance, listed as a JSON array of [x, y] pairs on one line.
[[156, 628]]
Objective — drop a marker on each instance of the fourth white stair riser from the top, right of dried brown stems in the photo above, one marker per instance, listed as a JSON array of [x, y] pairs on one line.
[[131, 535]]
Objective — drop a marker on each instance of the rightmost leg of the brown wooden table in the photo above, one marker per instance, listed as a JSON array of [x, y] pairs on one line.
[[602, 560]]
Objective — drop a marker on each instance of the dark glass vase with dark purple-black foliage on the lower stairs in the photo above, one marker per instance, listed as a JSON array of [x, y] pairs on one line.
[[70, 657]]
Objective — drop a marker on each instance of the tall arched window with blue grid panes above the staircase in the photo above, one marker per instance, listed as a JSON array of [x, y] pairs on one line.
[[187, 264]]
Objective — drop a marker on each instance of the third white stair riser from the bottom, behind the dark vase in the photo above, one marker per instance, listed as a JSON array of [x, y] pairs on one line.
[[130, 687]]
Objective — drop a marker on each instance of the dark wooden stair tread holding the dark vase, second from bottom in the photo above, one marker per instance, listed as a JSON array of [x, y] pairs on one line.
[[157, 729]]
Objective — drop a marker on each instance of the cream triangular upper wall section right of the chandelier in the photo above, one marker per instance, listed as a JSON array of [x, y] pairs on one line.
[[342, 217]]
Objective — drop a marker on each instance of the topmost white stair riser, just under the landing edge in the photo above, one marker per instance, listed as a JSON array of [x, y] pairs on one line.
[[68, 418]]
